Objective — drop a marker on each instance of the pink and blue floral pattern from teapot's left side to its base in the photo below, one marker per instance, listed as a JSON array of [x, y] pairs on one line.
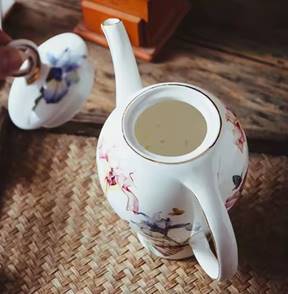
[[155, 228]]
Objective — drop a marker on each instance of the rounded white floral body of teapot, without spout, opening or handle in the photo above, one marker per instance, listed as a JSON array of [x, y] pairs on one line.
[[151, 196]]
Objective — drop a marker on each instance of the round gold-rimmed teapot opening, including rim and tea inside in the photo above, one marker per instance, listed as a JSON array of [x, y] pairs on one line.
[[171, 123]]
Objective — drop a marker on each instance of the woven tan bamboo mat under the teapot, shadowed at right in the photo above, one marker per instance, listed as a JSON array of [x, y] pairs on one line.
[[59, 235]]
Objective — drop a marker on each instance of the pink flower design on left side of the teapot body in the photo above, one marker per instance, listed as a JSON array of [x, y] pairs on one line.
[[117, 177]]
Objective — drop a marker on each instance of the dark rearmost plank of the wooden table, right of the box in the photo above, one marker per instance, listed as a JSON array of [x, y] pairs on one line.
[[256, 47]]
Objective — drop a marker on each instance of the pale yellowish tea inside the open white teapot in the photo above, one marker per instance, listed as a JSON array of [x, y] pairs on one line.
[[170, 128]]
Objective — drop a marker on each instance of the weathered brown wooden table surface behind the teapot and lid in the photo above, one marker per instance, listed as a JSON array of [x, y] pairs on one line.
[[247, 71]]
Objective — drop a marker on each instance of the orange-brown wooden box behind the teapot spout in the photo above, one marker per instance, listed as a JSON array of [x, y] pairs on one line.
[[149, 23]]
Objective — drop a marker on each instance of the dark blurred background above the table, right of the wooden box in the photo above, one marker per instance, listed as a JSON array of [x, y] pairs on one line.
[[250, 15]]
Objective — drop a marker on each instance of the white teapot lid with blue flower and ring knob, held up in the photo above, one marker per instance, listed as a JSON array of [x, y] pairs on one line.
[[55, 80]]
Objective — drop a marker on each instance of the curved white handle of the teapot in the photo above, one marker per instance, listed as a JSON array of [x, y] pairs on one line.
[[224, 266]]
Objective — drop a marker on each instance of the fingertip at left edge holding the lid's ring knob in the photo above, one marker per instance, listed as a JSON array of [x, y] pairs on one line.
[[10, 61]]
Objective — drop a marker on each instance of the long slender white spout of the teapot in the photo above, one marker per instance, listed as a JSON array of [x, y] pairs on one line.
[[125, 67]]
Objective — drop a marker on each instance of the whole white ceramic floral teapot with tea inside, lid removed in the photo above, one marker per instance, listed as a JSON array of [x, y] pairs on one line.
[[172, 198]]
